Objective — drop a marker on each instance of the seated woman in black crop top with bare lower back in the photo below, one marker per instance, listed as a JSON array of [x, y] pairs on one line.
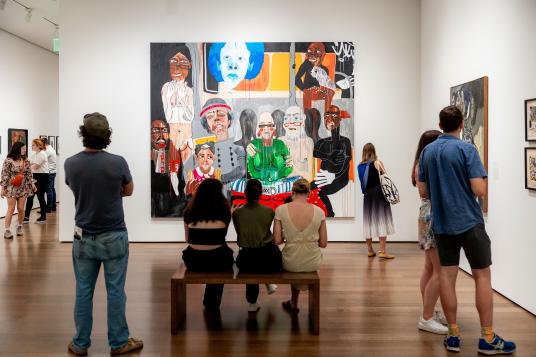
[[206, 220]]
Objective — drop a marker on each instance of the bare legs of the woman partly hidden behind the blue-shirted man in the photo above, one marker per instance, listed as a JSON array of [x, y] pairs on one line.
[[432, 269]]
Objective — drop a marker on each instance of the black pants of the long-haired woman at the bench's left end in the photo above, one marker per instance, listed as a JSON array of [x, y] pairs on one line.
[[219, 259]]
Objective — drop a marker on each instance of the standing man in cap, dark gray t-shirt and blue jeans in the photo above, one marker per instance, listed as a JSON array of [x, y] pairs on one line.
[[99, 181]]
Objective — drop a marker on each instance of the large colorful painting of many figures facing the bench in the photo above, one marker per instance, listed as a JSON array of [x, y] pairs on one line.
[[274, 111]]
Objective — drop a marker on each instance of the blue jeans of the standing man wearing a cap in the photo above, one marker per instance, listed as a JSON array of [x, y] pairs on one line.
[[110, 249]]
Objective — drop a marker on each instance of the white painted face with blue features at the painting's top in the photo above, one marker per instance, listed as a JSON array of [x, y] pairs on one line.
[[234, 63]]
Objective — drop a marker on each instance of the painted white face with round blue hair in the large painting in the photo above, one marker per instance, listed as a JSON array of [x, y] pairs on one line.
[[232, 62]]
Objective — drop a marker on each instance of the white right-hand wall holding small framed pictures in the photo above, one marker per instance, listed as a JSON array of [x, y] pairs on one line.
[[464, 40]]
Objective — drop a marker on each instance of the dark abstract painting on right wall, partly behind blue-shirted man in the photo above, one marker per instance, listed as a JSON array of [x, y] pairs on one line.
[[472, 99]]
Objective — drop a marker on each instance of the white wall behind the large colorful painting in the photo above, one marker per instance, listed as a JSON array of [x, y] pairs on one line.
[[104, 66]]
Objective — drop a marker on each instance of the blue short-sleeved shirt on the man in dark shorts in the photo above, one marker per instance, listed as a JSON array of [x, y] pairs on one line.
[[446, 165]]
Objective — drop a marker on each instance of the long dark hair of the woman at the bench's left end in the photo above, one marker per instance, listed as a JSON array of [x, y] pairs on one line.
[[208, 204]]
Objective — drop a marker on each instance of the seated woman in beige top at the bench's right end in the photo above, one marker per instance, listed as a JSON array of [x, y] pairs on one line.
[[302, 227]]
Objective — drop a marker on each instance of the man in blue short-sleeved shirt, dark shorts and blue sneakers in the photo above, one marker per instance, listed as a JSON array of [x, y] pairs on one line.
[[452, 175]]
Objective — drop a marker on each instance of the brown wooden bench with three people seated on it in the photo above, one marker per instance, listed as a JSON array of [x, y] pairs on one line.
[[182, 277]]
